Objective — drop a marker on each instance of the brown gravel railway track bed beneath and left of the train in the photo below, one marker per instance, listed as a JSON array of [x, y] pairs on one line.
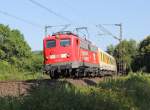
[[19, 88]]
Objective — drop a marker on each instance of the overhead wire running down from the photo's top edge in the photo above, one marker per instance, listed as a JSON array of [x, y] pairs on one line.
[[51, 11]]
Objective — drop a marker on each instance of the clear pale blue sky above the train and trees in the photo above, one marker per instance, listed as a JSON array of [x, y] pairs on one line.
[[133, 14]]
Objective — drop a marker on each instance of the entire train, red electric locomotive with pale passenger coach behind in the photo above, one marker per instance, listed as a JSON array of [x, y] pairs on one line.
[[68, 55]]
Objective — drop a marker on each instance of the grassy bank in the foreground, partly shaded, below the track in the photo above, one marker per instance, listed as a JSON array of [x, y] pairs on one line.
[[128, 93]]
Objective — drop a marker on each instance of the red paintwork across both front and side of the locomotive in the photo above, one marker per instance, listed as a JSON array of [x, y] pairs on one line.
[[74, 51]]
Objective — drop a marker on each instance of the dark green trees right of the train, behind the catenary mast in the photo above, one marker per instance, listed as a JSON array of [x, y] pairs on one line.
[[135, 56]]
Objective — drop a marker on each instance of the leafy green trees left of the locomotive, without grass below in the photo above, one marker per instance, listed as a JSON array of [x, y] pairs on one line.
[[16, 53]]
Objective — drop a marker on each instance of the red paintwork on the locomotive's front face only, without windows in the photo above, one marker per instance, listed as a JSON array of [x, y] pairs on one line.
[[58, 50]]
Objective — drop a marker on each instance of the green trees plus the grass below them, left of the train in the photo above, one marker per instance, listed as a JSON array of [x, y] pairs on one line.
[[17, 61]]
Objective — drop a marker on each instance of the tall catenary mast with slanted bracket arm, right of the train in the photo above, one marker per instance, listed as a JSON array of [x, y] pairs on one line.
[[121, 68]]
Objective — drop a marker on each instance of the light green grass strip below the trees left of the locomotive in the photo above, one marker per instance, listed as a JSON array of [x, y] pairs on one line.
[[11, 73]]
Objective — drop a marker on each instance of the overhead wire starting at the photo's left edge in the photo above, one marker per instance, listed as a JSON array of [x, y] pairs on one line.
[[20, 19]]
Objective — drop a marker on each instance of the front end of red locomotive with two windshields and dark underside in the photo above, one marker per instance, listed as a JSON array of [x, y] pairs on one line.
[[59, 54]]
